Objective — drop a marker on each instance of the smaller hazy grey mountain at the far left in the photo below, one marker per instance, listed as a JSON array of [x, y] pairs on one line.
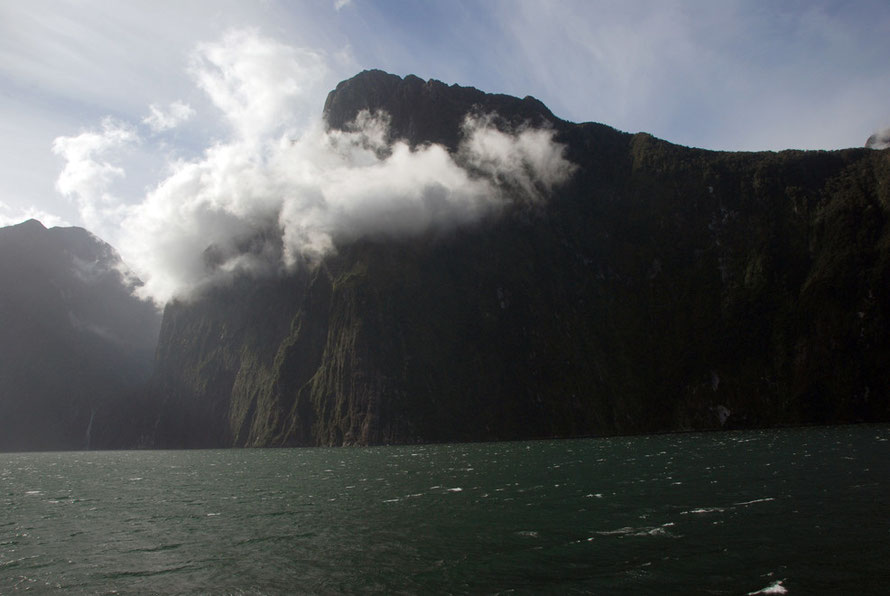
[[74, 343]]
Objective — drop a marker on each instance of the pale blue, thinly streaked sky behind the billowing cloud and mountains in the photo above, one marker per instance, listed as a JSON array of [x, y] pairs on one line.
[[736, 75]]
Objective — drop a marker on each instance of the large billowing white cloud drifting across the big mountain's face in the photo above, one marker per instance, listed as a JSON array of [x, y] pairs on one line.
[[283, 190]]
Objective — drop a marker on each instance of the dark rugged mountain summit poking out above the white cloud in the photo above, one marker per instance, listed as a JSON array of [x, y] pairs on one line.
[[426, 111]]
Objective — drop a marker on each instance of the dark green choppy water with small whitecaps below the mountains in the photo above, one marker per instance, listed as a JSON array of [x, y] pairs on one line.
[[803, 511]]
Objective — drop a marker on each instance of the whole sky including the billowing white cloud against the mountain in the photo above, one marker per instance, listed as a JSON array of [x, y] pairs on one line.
[[134, 118]]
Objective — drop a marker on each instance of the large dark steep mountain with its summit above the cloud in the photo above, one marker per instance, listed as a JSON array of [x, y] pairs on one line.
[[661, 288]]
